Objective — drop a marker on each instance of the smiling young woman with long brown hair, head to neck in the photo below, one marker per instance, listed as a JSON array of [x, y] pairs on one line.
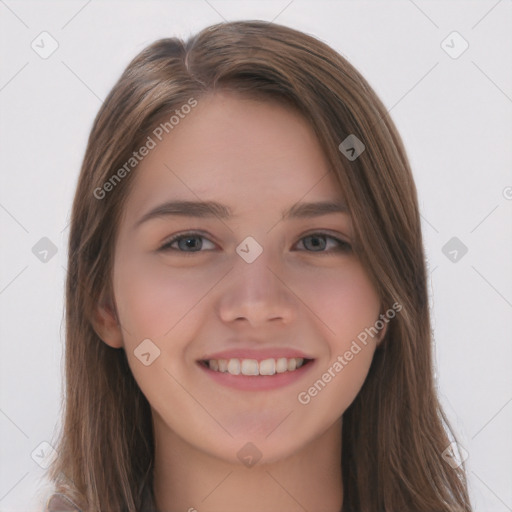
[[247, 312]]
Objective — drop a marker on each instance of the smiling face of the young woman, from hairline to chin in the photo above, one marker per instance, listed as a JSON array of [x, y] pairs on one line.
[[241, 286]]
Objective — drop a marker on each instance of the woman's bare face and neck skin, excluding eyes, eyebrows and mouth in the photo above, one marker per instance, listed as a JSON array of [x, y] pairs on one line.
[[258, 158]]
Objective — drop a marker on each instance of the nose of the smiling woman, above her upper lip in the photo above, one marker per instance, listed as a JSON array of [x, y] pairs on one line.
[[257, 294]]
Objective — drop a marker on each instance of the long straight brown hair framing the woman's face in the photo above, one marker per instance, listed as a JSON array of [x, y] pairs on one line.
[[395, 431]]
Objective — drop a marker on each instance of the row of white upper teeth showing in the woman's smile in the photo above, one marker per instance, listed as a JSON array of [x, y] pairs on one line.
[[252, 367]]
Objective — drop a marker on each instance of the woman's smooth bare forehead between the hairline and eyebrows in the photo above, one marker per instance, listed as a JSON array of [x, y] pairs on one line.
[[239, 151]]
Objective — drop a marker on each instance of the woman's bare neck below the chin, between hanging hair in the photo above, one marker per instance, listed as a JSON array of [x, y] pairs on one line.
[[189, 479]]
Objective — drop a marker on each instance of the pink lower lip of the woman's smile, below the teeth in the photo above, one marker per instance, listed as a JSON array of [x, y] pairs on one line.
[[258, 382]]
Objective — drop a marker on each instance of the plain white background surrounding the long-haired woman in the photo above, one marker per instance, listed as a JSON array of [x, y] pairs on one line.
[[453, 114]]
